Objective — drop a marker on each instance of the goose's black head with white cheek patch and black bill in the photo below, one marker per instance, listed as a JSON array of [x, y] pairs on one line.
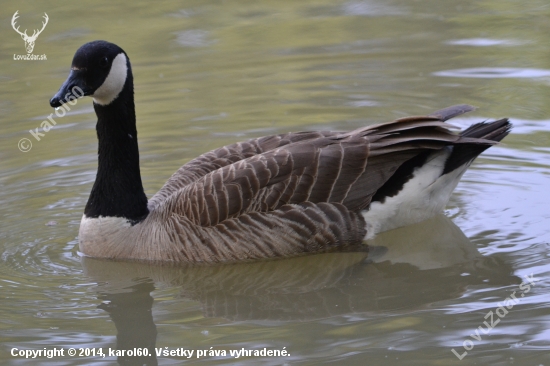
[[100, 69]]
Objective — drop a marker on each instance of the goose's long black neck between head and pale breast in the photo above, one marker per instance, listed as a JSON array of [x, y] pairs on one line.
[[118, 190]]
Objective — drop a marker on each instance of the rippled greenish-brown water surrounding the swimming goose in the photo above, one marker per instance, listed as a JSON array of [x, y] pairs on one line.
[[211, 73]]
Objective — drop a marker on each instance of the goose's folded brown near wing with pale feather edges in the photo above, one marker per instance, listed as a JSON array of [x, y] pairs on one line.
[[345, 168]]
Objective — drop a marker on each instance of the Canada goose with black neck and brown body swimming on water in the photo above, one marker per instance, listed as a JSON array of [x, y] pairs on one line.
[[275, 196]]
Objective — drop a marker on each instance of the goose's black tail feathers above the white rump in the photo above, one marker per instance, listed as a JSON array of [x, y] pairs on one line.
[[487, 134]]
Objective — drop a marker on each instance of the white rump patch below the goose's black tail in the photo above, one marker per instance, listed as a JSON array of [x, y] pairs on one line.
[[423, 196]]
